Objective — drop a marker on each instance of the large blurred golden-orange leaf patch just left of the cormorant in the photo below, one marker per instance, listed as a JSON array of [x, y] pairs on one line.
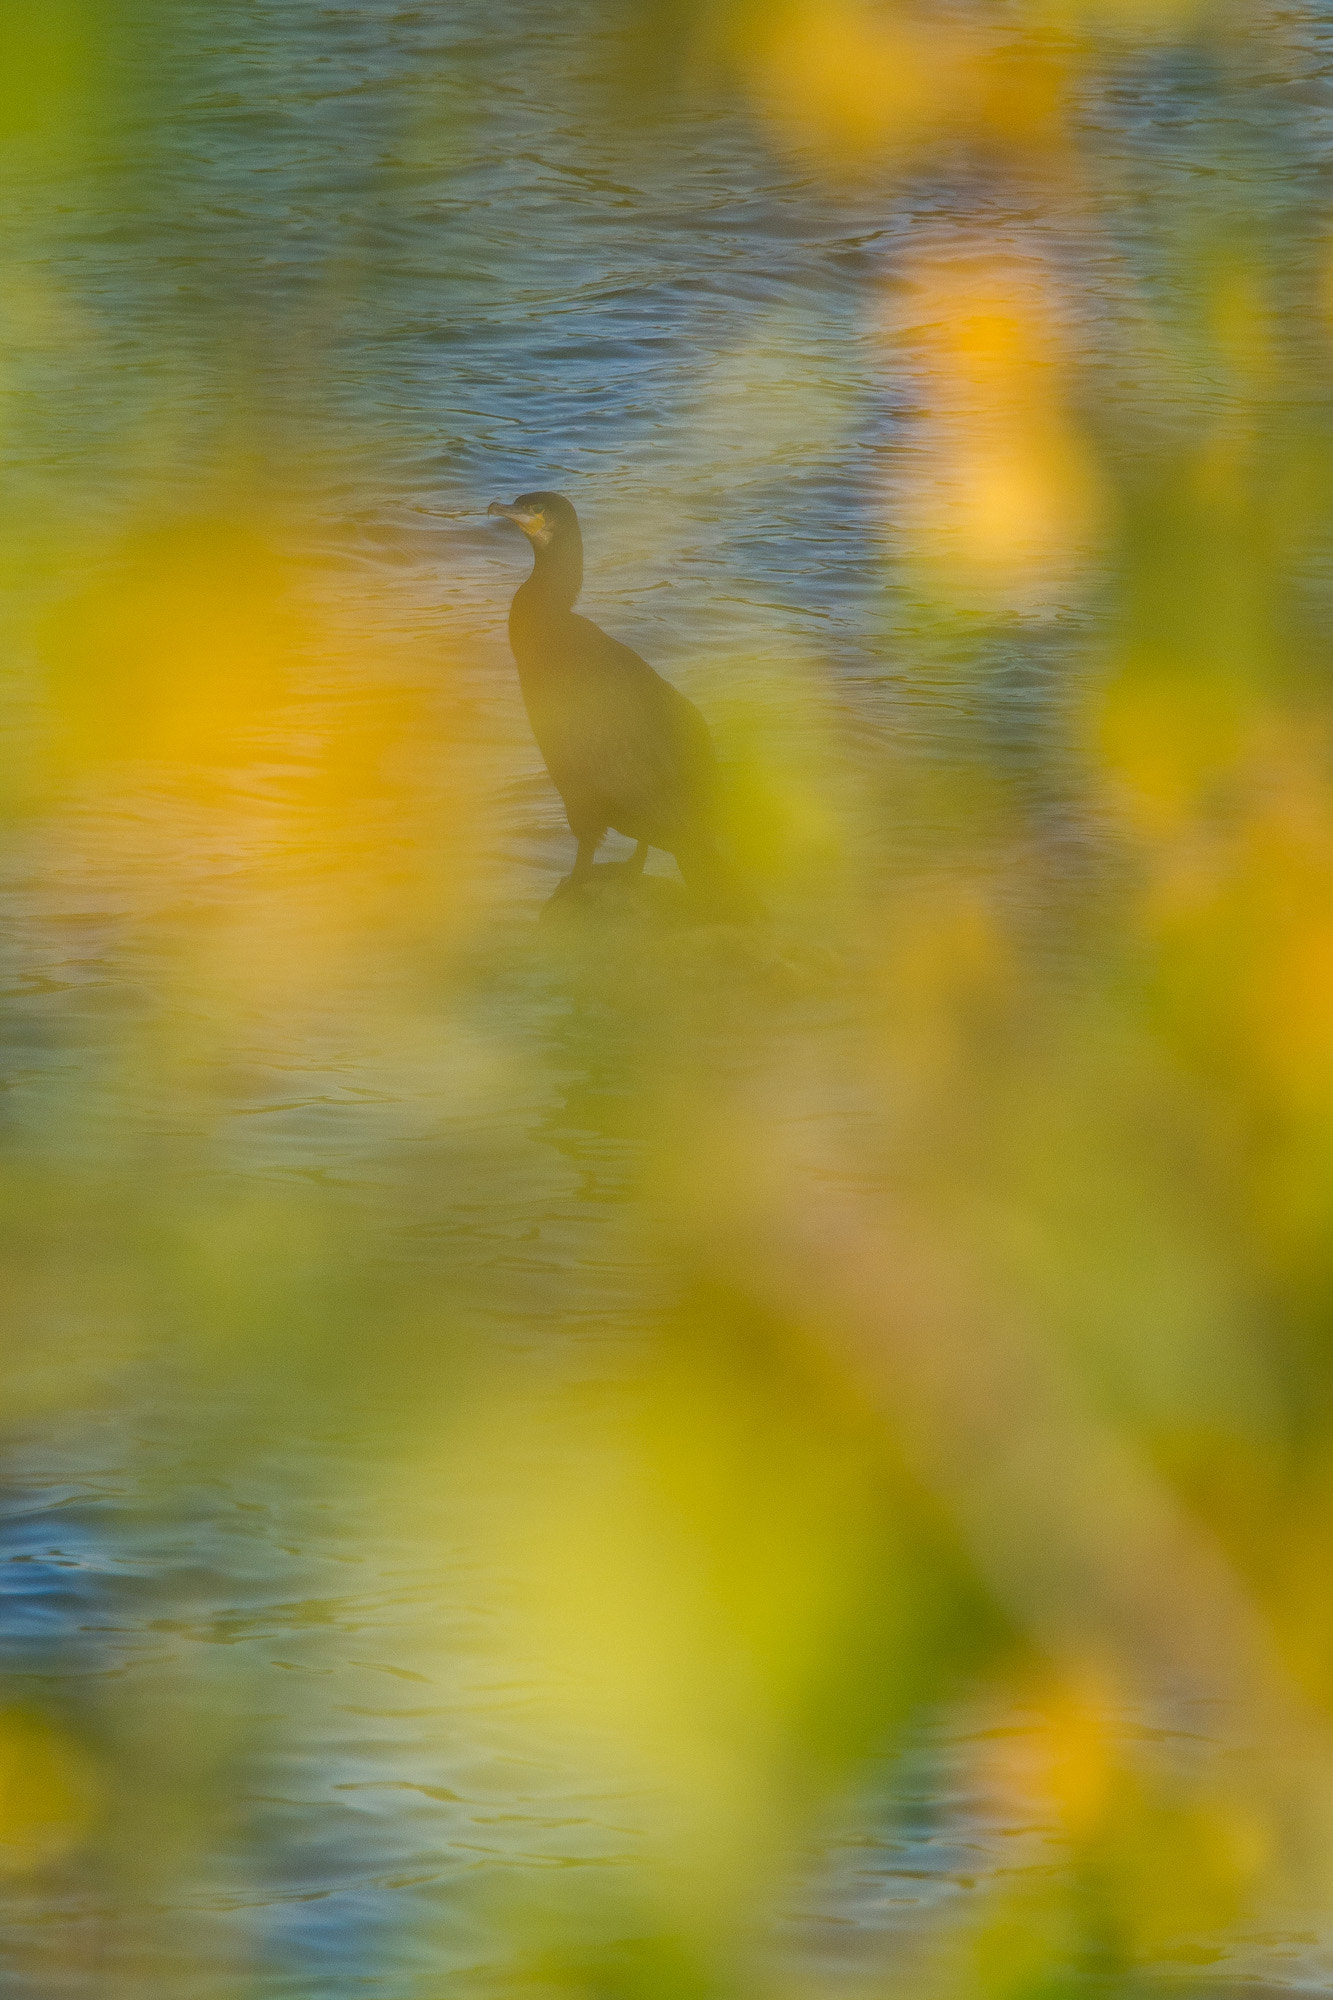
[[311, 783]]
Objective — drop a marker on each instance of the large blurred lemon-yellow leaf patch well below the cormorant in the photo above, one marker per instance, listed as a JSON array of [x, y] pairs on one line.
[[686, 1557]]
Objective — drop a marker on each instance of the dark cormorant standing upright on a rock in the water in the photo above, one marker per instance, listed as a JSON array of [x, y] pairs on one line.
[[625, 749]]
